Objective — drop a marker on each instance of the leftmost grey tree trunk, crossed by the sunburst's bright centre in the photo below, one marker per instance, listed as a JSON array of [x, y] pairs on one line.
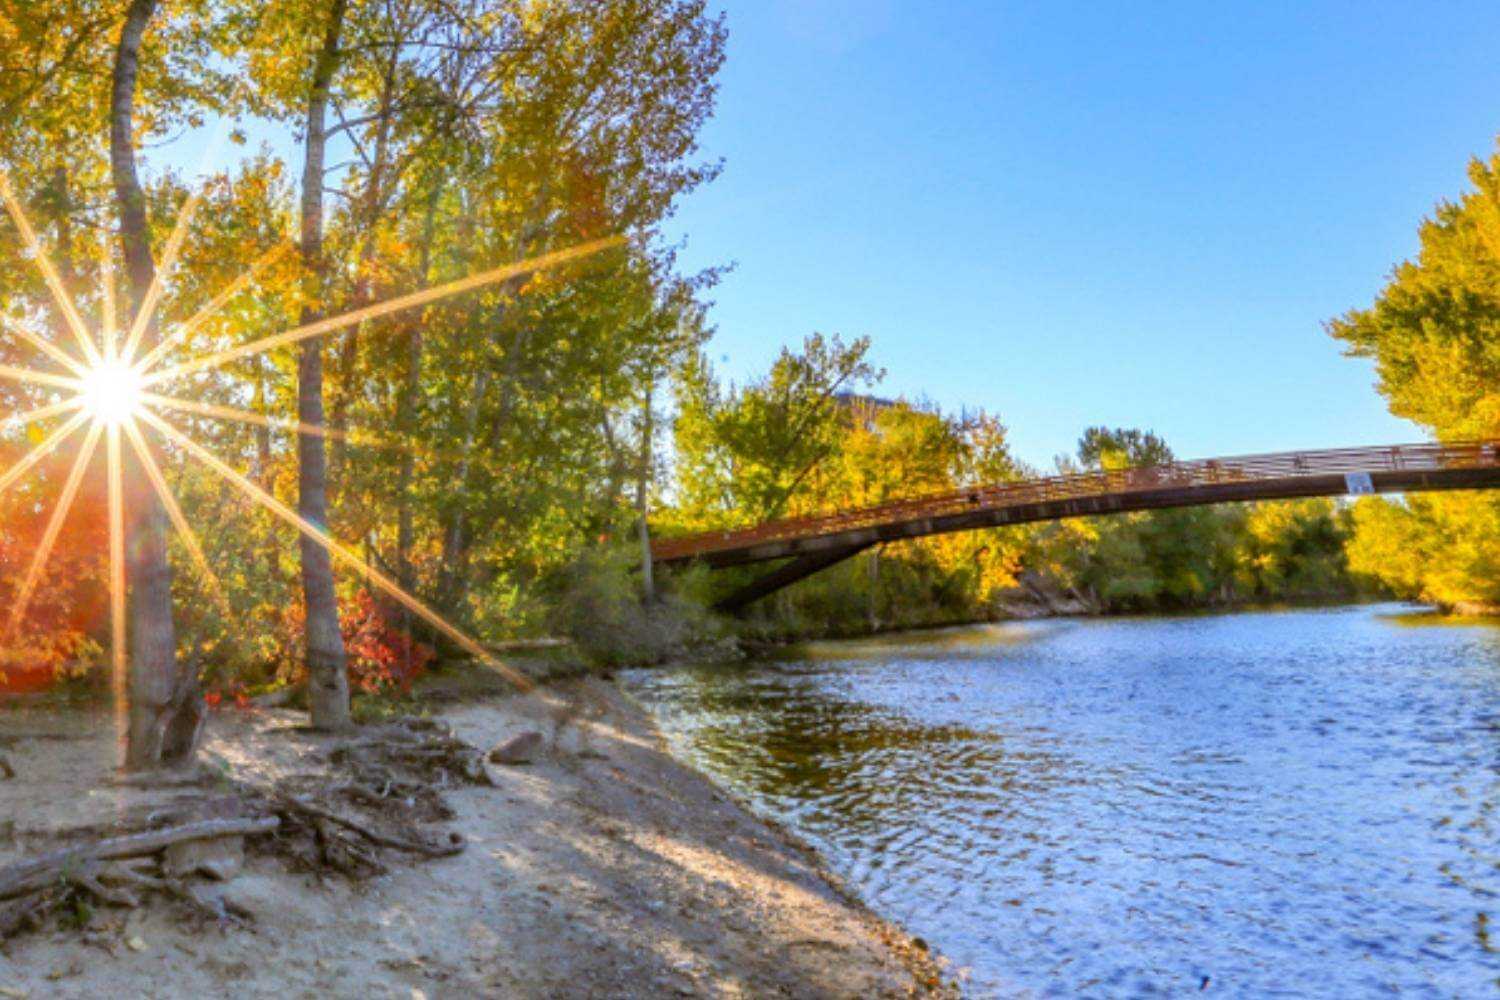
[[166, 713]]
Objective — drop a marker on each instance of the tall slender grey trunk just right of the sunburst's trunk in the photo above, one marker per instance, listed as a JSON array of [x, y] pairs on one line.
[[328, 678]]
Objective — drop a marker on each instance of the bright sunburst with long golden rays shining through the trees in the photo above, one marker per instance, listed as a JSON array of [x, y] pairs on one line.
[[109, 394]]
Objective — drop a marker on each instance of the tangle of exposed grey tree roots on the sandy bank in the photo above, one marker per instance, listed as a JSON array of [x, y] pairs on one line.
[[377, 798]]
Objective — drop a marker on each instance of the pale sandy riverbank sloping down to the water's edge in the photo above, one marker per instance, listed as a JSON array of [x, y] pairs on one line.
[[607, 869]]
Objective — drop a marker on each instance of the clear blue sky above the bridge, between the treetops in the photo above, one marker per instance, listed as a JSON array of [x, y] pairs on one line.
[[1076, 214]]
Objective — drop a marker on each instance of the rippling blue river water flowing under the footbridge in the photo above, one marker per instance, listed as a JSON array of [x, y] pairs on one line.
[[1295, 804]]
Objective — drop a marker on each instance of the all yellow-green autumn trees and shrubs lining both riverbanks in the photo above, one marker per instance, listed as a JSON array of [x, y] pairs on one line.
[[538, 431]]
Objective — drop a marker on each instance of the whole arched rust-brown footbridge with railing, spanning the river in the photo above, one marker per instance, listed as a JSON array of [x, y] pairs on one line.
[[821, 540]]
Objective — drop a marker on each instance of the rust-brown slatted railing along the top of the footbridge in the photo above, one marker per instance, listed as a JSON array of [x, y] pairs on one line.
[[1282, 466]]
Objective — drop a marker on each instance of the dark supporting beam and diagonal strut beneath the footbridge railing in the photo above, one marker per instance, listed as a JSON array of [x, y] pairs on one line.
[[814, 554]]
